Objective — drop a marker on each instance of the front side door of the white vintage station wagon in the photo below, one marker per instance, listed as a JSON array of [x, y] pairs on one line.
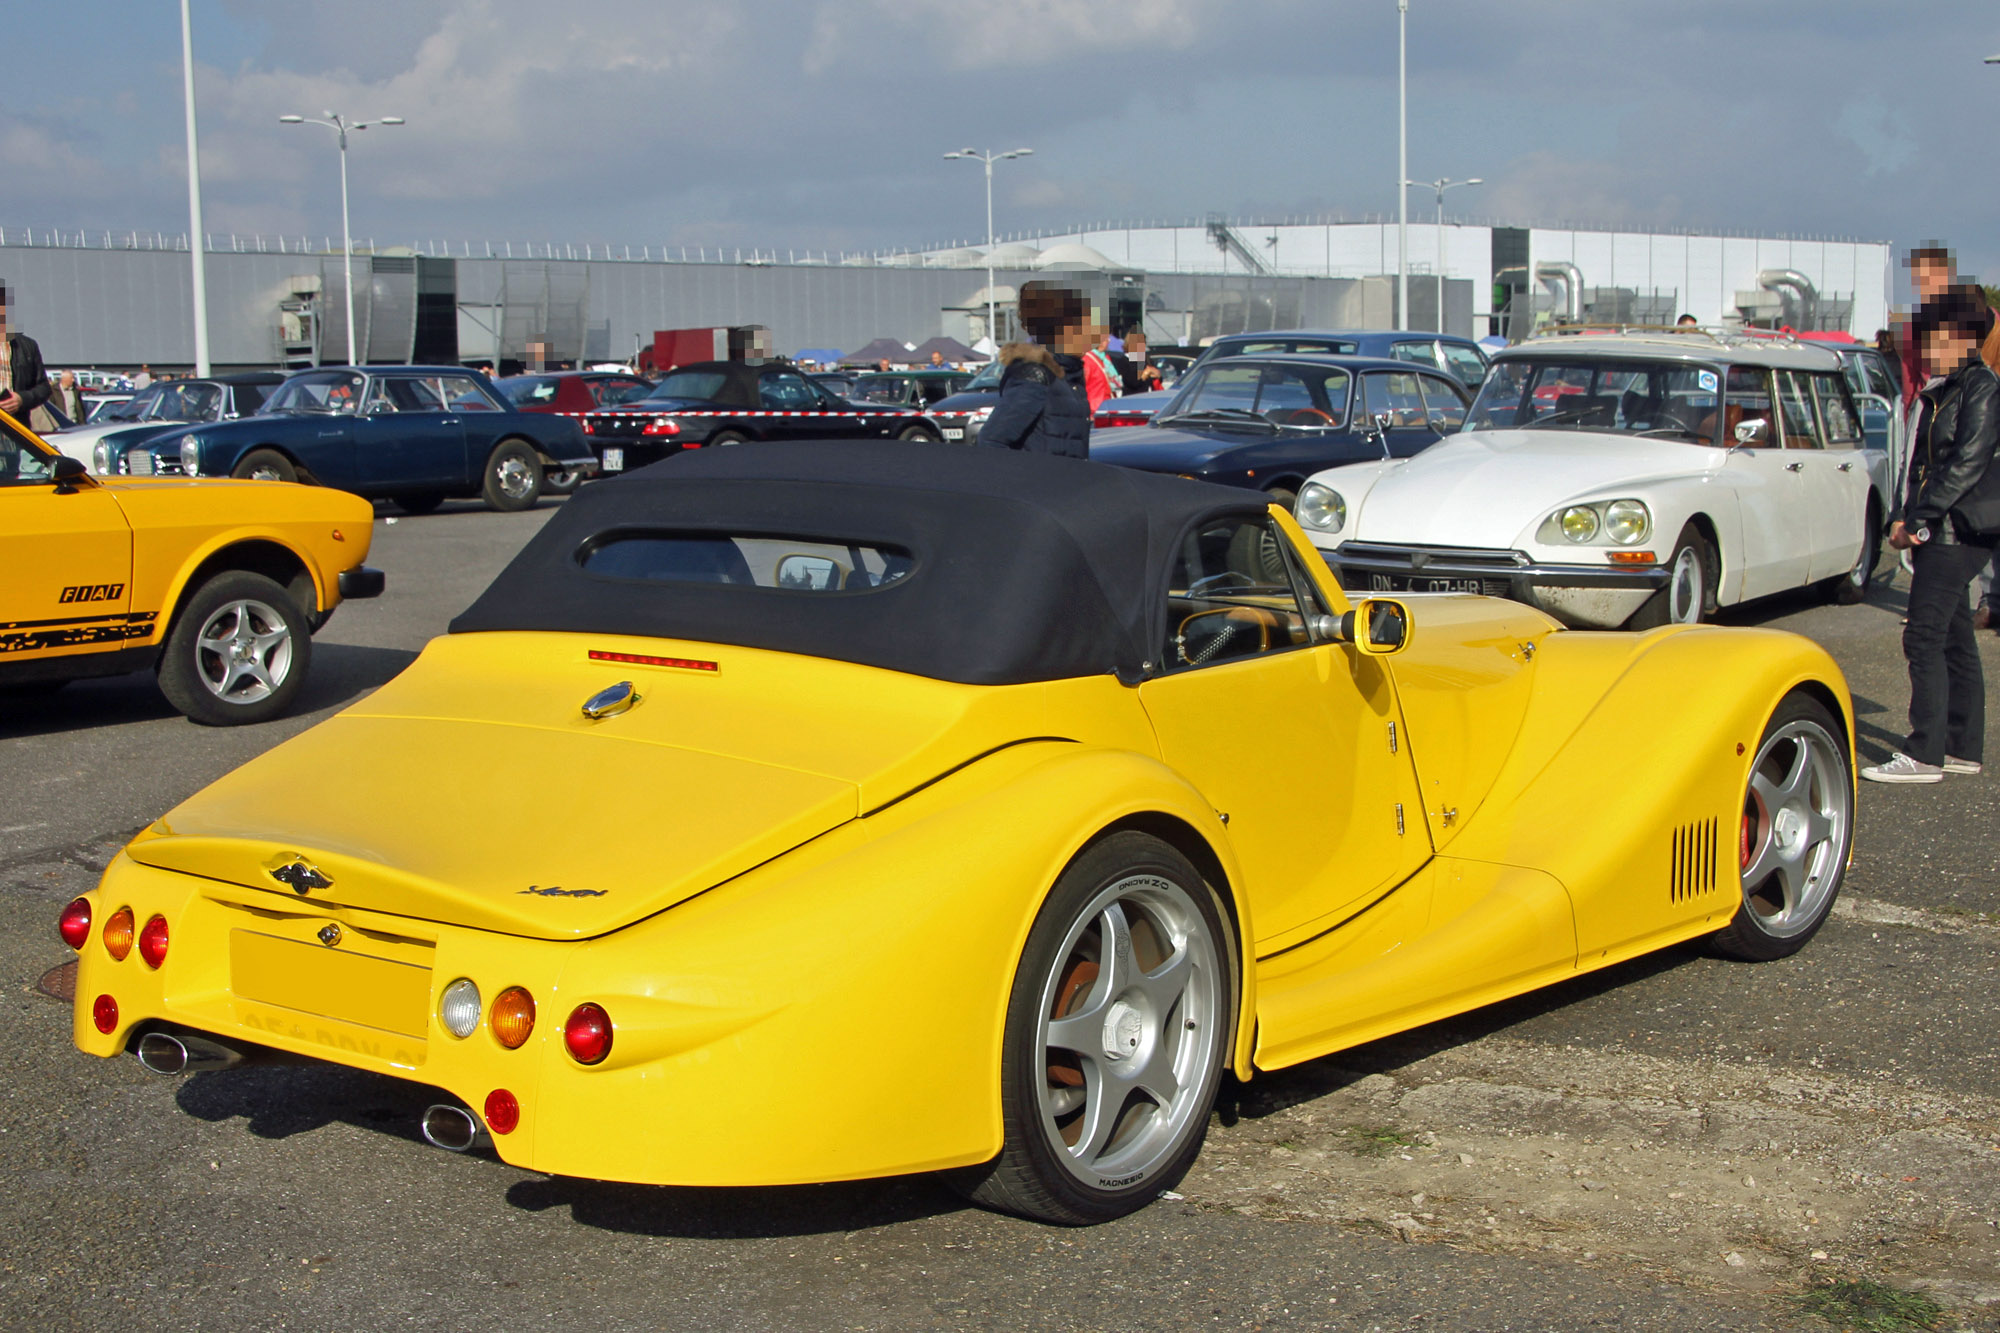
[[1773, 531]]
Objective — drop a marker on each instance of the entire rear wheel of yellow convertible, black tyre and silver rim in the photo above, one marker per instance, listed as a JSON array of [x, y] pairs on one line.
[[1047, 1086]]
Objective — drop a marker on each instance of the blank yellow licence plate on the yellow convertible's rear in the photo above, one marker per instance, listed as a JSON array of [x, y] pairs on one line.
[[331, 984]]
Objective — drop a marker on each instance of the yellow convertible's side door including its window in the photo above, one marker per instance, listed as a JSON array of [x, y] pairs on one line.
[[1289, 740]]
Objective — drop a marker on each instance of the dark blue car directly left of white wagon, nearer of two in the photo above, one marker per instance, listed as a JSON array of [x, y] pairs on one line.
[[1269, 423]]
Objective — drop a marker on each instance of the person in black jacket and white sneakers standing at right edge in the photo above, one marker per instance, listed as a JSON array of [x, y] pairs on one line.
[[1951, 523]]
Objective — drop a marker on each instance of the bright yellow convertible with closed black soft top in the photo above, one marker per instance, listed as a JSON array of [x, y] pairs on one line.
[[951, 812]]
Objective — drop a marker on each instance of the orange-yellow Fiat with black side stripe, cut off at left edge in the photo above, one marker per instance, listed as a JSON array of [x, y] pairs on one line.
[[215, 585]]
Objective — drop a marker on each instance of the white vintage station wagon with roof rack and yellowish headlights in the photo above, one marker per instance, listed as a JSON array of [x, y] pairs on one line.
[[1625, 481]]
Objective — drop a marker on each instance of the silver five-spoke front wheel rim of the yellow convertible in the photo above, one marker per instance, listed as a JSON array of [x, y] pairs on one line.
[[1795, 828]]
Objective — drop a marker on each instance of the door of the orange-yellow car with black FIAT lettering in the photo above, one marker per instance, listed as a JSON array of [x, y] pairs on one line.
[[65, 561]]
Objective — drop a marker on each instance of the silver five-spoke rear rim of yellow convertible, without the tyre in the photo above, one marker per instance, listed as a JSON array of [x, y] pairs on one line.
[[1129, 1032]]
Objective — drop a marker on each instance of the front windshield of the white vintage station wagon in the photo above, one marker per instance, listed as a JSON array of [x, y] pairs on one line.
[[1667, 399]]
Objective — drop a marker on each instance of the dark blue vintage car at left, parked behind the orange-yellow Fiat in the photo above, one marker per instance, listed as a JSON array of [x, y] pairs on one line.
[[415, 435]]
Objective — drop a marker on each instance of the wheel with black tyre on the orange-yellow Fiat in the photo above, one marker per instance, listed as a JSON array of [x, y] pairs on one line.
[[237, 607]]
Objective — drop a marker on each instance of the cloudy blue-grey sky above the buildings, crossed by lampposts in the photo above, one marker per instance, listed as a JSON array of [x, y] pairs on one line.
[[821, 123]]
